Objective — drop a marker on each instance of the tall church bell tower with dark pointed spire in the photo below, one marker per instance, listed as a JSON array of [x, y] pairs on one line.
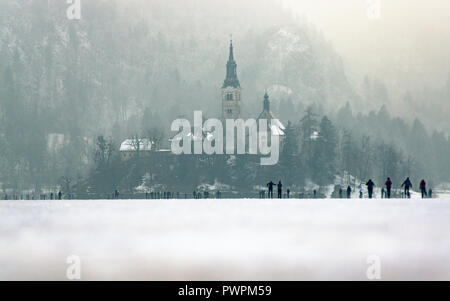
[[231, 90]]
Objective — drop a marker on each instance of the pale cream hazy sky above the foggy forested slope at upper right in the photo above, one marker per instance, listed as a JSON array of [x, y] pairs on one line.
[[409, 42]]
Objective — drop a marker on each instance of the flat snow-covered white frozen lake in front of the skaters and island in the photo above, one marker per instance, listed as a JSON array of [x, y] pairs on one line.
[[225, 239]]
